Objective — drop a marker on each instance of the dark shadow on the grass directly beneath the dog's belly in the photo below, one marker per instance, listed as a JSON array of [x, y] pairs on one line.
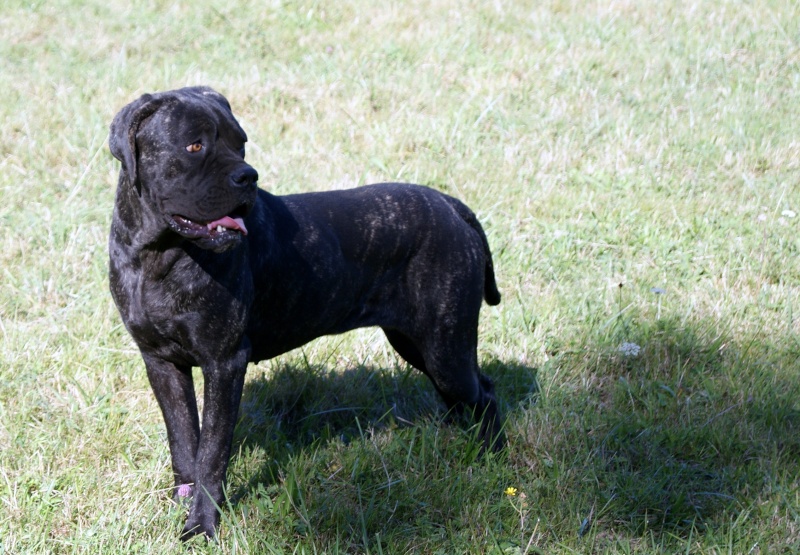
[[291, 407]]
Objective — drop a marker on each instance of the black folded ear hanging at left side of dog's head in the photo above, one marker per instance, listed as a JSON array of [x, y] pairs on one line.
[[122, 135]]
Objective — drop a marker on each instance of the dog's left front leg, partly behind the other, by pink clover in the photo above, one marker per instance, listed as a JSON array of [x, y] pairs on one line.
[[174, 390]]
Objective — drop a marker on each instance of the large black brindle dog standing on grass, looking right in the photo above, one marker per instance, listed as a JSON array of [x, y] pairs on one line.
[[207, 270]]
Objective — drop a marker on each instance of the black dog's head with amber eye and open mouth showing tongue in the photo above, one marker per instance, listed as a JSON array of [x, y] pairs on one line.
[[183, 153]]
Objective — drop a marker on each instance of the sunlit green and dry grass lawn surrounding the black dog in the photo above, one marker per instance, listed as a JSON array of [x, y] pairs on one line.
[[610, 148]]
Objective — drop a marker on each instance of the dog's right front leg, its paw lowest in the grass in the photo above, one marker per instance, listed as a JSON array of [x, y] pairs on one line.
[[223, 392]]
